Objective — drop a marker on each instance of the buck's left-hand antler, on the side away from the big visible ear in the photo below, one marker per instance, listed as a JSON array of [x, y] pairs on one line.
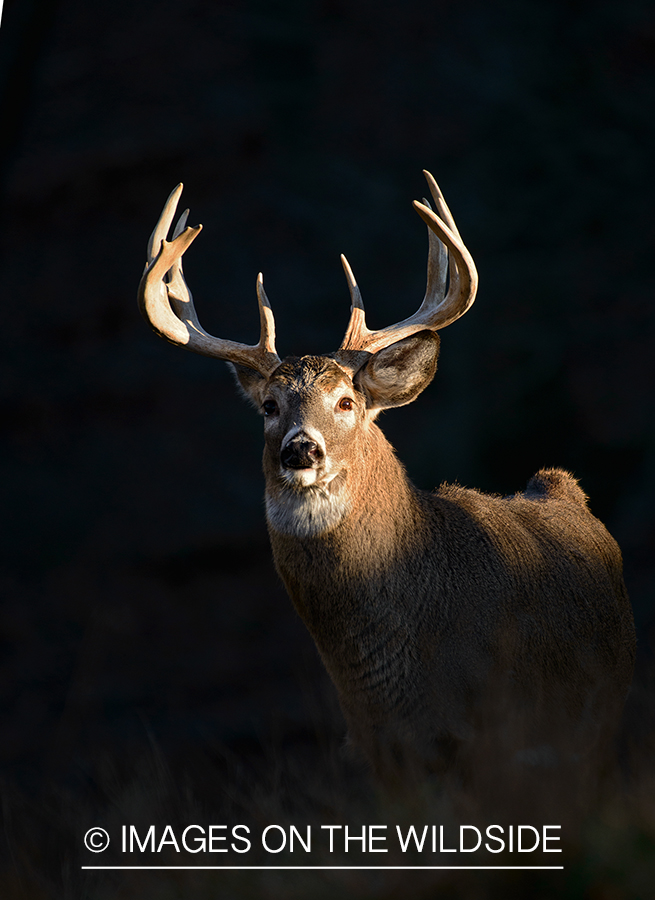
[[166, 302]]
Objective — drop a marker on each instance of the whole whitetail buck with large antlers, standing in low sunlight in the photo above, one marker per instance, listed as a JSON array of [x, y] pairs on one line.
[[434, 613]]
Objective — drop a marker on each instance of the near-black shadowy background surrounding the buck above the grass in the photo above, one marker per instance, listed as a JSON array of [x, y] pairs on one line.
[[140, 607]]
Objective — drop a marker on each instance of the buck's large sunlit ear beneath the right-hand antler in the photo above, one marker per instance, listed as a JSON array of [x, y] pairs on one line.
[[397, 374]]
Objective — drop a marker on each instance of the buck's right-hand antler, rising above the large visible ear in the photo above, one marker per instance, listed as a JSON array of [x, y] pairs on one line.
[[436, 310]]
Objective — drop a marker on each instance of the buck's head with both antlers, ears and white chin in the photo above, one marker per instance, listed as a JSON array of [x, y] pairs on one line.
[[317, 409]]
